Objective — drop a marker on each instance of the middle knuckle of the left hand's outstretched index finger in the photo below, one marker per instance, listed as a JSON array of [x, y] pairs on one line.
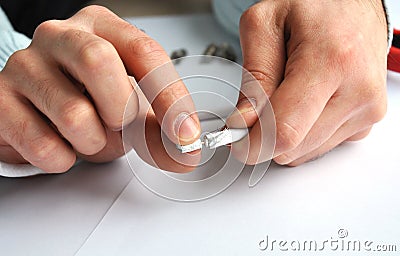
[[145, 46]]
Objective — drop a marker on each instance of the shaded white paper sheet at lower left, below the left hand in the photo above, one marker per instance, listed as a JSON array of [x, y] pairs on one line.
[[55, 214]]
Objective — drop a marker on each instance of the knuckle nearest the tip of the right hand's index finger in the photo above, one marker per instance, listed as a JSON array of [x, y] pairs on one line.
[[287, 137]]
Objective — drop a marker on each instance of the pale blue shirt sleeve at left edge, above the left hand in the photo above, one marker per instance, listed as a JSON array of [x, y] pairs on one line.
[[10, 40]]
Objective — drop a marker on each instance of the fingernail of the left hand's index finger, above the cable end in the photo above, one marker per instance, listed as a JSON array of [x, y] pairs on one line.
[[185, 128]]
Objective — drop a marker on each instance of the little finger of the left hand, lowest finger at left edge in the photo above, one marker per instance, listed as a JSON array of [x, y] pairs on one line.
[[24, 130]]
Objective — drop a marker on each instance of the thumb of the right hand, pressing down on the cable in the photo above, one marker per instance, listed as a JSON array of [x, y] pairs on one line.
[[264, 55]]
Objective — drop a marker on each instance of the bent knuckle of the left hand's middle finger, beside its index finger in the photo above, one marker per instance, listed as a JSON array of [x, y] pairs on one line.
[[96, 55]]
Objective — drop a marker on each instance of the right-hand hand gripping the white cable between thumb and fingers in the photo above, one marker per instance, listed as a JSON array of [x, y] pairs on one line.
[[323, 65]]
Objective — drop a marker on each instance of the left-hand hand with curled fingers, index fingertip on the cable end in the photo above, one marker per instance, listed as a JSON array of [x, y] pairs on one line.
[[47, 120]]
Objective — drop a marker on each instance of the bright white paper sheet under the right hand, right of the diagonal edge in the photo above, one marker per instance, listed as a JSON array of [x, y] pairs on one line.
[[354, 190]]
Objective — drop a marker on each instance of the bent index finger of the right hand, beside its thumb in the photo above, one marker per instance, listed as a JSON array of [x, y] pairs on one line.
[[303, 95]]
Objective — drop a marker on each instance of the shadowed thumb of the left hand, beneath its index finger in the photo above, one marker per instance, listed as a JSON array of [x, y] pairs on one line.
[[144, 136]]
